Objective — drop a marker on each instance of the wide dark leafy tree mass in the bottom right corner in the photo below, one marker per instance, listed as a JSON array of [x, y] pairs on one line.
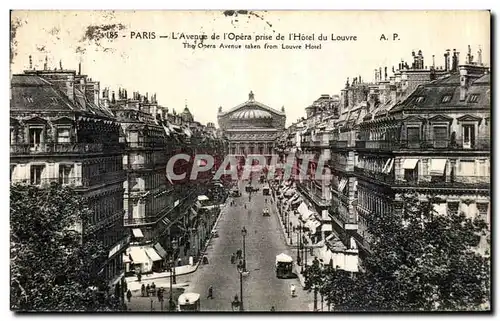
[[420, 261]]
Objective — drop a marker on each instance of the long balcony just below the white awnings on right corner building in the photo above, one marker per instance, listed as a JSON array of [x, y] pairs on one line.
[[455, 182]]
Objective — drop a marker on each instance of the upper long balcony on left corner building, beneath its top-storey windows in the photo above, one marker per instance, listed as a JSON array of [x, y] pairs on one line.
[[62, 148]]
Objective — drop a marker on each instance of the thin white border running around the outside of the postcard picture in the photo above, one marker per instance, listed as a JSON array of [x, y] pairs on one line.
[[190, 4]]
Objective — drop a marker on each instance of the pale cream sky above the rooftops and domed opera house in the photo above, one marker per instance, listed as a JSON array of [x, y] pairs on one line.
[[211, 78]]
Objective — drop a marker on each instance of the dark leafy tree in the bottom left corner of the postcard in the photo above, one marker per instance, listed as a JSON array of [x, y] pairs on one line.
[[54, 265]]
